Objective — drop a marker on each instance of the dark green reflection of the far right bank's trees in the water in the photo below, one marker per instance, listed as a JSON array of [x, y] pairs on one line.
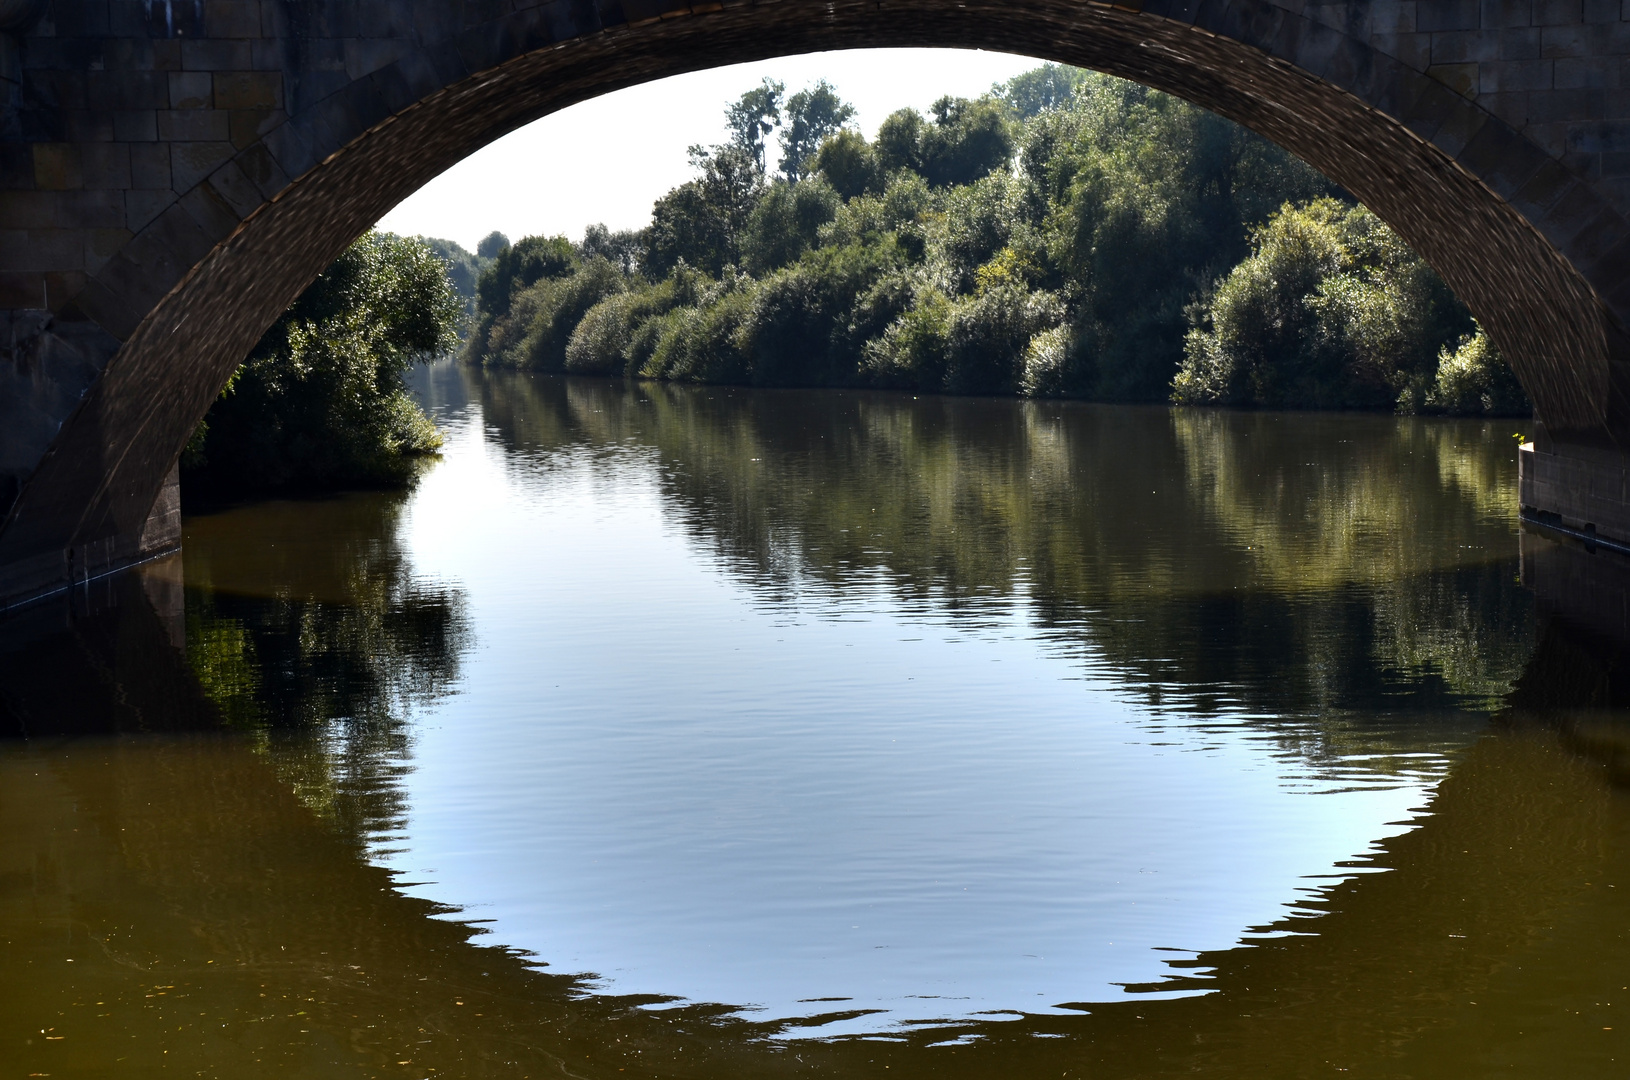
[[1210, 560]]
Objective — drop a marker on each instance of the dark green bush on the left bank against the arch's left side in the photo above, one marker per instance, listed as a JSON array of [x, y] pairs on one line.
[[322, 402]]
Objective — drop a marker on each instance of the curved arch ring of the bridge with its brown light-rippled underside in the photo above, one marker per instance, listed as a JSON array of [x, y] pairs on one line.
[[1530, 248]]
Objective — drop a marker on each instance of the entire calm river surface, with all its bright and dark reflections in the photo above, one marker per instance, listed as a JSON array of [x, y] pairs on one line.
[[729, 734]]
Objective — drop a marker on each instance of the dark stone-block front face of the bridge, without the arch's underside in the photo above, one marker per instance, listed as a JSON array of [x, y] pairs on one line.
[[139, 136]]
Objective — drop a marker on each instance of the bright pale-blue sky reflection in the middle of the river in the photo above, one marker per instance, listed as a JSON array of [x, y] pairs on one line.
[[667, 776]]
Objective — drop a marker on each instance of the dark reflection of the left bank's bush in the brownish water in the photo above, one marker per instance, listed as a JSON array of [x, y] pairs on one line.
[[309, 630]]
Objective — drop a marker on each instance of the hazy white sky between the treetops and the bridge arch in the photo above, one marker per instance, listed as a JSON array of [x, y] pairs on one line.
[[607, 160]]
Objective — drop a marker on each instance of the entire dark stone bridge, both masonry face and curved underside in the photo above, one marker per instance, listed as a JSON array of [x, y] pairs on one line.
[[175, 172]]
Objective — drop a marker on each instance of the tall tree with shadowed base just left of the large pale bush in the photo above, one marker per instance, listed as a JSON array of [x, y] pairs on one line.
[[1142, 200]]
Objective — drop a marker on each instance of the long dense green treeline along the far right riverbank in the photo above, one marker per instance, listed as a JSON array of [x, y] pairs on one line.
[[1067, 235]]
